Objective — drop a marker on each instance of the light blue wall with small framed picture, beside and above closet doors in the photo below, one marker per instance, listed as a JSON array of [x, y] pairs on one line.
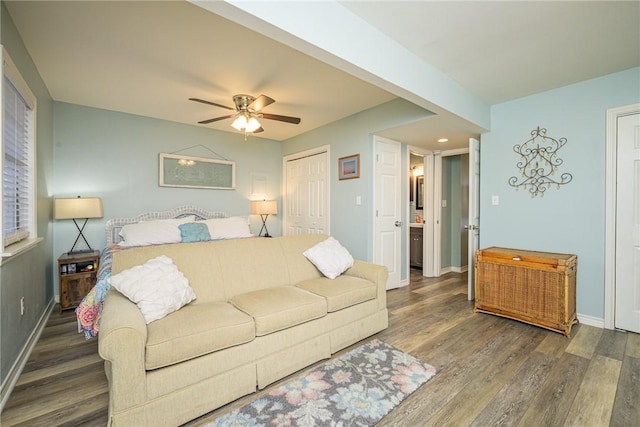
[[352, 225]]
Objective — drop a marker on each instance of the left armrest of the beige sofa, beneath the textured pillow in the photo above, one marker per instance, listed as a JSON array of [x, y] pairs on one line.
[[121, 342]]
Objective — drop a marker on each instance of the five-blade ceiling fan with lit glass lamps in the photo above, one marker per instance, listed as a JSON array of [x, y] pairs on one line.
[[248, 110]]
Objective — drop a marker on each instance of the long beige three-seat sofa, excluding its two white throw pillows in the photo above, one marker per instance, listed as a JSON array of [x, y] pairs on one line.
[[210, 352]]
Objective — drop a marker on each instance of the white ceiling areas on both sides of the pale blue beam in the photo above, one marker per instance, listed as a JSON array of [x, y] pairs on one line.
[[147, 58]]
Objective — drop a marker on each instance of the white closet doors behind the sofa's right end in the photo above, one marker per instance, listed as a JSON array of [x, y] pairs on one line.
[[305, 195]]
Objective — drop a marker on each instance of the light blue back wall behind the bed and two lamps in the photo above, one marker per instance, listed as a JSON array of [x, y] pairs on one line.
[[114, 156]]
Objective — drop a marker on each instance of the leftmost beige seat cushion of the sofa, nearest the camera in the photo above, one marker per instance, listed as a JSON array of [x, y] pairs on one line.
[[196, 330]]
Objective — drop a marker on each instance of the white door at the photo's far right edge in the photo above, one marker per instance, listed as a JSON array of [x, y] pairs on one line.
[[627, 310]]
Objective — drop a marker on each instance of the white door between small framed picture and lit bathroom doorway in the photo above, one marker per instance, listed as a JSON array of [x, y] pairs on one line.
[[388, 208]]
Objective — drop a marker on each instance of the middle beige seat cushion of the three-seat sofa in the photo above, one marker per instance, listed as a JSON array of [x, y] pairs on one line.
[[280, 307]]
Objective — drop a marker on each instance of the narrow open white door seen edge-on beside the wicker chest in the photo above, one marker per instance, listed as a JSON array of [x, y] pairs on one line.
[[474, 212]]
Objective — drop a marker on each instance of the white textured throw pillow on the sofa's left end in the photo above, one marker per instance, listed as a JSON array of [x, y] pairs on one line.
[[157, 287]]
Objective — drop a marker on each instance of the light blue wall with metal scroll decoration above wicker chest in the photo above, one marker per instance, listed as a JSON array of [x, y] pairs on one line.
[[570, 219]]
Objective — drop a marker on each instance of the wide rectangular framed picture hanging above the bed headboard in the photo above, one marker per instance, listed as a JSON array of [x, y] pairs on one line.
[[196, 172]]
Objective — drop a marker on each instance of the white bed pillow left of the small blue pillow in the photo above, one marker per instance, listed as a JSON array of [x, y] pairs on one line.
[[153, 232]]
